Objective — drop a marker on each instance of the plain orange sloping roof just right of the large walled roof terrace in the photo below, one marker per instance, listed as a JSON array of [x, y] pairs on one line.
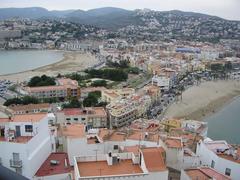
[[154, 159]]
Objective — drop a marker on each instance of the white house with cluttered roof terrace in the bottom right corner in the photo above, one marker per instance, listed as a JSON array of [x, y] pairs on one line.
[[221, 156]]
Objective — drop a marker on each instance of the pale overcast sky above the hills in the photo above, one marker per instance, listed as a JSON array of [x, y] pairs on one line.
[[229, 9]]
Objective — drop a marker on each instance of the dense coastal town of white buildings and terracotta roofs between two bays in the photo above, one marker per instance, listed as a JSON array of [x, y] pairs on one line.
[[109, 120]]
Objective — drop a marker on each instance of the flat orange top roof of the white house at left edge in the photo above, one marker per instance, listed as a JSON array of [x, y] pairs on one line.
[[36, 117]]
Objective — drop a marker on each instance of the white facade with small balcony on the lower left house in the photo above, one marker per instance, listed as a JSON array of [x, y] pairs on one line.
[[26, 157]]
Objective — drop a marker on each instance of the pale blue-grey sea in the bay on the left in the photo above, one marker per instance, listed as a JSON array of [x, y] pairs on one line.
[[13, 61]]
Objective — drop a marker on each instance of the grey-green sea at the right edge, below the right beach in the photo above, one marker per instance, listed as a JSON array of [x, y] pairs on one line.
[[225, 124]]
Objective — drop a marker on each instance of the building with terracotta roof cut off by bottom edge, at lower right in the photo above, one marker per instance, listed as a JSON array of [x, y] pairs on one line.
[[202, 173]]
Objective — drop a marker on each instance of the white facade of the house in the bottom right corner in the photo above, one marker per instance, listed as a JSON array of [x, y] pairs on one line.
[[210, 158]]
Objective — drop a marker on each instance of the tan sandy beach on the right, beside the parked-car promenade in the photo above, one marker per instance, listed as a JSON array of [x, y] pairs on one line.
[[204, 100]]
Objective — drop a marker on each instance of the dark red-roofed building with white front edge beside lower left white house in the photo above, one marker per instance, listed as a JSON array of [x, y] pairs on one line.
[[55, 167]]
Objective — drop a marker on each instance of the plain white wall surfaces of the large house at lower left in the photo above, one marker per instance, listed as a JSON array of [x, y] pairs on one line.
[[33, 153]]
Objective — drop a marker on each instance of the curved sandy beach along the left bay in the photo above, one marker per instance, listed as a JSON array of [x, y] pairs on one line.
[[72, 62]]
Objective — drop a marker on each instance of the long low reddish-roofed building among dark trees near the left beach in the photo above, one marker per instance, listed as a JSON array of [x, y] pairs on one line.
[[63, 89]]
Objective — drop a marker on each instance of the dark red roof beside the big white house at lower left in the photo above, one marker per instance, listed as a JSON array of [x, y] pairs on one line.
[[47, 169]]
